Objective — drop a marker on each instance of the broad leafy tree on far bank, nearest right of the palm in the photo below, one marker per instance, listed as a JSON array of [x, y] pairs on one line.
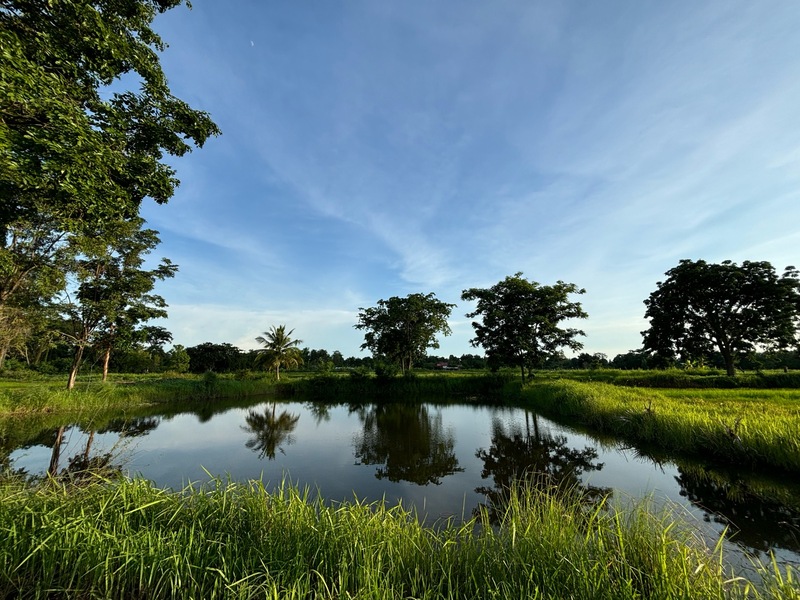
[[402, 329]]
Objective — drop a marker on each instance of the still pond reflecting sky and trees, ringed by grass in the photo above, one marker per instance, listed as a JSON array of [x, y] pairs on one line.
[[444, 461]]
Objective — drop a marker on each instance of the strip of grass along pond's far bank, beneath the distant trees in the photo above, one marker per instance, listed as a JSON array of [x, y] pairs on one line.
[[42, 393]]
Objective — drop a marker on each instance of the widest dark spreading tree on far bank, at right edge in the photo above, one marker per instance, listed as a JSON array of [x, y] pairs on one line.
[[733, 309]]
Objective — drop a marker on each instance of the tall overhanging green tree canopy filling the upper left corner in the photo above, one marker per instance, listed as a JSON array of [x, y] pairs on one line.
[[86, 122]]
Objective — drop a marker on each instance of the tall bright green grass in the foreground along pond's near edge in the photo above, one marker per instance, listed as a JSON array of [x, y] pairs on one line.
[[129, 539]]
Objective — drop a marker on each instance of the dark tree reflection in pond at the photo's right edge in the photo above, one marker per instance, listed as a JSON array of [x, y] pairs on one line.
[[761, 518]]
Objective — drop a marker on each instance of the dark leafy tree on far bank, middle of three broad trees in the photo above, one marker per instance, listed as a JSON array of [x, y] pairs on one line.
[[520, 320]]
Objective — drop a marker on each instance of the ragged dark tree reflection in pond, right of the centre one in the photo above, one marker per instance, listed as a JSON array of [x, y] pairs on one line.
[[535, 459]]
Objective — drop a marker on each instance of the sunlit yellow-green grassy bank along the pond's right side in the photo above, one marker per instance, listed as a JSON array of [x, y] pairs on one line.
[[758, 428]]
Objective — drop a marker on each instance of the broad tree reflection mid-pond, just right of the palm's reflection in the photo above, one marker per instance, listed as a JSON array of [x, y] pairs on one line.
[[409, 443]]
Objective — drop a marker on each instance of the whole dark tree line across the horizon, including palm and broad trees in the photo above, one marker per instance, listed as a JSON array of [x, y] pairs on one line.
[[519, 327]]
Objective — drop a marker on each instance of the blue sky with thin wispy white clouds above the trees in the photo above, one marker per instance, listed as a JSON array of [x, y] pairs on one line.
[[374, 149]]
